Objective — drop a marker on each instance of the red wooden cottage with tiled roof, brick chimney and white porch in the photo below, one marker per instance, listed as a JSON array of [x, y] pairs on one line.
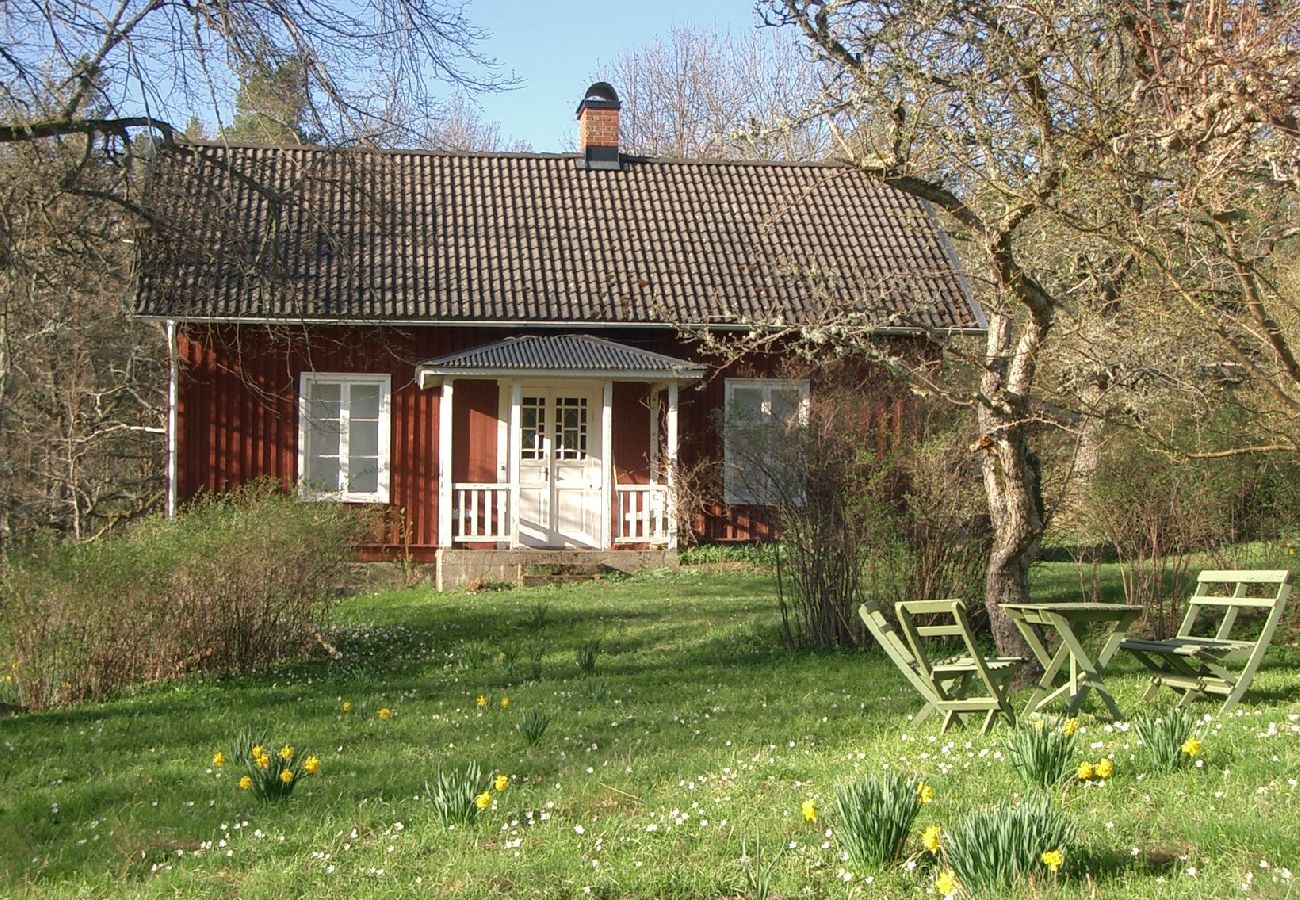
[[489, 345]]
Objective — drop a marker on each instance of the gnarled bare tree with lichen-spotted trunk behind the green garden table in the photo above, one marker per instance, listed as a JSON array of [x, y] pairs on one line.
[[1073, 149]]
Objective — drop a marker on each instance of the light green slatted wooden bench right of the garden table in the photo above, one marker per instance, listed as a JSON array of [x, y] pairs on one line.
[[1207, 660]]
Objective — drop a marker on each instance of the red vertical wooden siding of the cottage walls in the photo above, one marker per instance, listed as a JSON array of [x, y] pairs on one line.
[[239, 417]]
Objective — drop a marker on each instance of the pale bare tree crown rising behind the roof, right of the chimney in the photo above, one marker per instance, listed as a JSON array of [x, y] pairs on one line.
[[704, 96]]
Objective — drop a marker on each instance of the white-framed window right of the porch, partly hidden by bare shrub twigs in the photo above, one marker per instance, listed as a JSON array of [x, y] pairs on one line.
[[759, 418]]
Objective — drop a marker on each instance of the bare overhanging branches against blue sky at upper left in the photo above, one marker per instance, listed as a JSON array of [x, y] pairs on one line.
[[84, 67]]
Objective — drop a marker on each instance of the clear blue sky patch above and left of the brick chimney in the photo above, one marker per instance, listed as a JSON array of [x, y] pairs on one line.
[[556, 46]]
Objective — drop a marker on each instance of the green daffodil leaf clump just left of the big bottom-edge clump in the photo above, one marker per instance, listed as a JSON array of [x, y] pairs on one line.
[[876, 817]]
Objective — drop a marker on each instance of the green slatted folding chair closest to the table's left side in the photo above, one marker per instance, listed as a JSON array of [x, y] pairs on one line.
[[964, 683]]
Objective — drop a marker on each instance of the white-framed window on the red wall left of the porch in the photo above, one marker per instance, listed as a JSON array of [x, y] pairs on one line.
[[344, 438]]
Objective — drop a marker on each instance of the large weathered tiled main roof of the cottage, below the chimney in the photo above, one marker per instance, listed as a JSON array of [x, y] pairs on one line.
[[306, 233]]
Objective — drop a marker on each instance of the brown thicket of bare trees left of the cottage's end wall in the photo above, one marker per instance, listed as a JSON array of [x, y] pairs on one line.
[[81, 384]]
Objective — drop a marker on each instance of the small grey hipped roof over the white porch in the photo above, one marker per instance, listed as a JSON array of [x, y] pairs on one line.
[[558, 353]]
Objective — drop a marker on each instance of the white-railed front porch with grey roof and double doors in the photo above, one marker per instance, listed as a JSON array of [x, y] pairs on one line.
[[554, 443]]
